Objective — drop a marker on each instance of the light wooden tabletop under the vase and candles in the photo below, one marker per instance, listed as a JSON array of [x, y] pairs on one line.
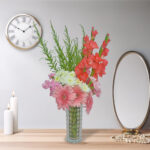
[[54, 139]]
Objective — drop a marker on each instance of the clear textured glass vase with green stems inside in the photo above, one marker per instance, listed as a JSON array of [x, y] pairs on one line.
[[74, 124]]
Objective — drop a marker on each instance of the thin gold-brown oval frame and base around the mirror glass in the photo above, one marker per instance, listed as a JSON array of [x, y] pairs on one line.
[[127, 130]]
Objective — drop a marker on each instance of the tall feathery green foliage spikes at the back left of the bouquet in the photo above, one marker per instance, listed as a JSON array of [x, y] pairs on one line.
[[68, 57]]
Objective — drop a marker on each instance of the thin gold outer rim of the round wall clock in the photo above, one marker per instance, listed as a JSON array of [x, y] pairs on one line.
[[6, 32]]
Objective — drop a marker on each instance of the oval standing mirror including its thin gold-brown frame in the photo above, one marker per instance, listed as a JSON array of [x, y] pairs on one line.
[[131, 89]]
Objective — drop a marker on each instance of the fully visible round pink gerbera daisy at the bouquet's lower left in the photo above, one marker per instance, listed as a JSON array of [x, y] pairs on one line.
[[64, 97]]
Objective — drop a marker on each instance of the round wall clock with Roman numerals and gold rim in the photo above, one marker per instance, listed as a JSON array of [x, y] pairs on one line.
[[21, 32]]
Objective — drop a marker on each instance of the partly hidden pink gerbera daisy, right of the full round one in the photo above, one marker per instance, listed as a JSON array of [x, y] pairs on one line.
[[80, 96]]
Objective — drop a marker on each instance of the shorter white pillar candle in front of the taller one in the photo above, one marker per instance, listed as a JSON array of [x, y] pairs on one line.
[[8, 121]]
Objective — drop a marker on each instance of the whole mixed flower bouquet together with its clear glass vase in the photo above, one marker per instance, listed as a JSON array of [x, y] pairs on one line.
[[74, 77]]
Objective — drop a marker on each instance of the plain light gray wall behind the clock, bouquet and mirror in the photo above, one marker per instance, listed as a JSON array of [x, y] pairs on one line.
[[129, 26]]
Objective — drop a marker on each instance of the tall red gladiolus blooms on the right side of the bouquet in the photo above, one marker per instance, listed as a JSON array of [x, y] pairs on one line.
[[91, 62]]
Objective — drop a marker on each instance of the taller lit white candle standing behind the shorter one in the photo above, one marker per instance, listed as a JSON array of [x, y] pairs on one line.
[[14, 109]]
